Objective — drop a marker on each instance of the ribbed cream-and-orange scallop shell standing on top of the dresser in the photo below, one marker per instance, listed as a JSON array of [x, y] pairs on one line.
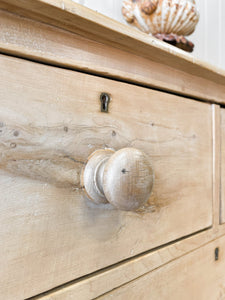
[[170, 16]]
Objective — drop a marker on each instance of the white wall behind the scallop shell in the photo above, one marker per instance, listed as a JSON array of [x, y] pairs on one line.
[[209, 37]]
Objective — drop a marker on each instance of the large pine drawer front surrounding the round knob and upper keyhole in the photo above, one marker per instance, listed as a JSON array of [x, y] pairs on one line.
[[51, 122]]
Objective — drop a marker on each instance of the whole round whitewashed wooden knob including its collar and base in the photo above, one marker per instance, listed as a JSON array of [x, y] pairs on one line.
[[123, 178]]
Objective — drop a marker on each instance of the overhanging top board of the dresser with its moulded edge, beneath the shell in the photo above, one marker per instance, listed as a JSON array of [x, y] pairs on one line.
[[76, 18]]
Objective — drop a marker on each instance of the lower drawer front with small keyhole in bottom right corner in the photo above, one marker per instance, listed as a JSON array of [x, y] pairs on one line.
[[194, 276]]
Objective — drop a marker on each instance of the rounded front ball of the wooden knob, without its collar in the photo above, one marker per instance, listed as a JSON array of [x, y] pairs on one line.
[[128, 179]]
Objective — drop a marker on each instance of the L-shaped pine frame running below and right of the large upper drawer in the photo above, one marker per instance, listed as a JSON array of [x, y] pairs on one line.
[[110, 278]]
